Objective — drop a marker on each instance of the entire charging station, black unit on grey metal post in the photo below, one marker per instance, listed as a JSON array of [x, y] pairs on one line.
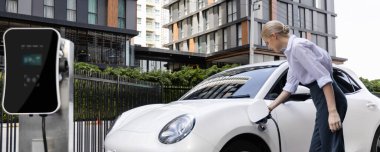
[[38, 81]]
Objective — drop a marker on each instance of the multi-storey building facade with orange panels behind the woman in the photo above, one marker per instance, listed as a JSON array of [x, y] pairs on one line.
[[219, 29]]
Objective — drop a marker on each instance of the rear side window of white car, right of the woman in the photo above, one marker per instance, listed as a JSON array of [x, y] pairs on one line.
[[345, 82]]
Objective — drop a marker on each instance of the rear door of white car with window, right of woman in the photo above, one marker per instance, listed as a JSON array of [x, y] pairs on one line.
[[361, 118]]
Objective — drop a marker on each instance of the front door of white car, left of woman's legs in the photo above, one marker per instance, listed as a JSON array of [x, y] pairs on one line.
[[295, 117]]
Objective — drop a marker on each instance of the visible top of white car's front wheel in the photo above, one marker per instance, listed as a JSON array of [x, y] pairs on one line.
[[241, 146]]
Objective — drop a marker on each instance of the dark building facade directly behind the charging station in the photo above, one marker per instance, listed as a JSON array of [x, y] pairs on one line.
[[100, 29]]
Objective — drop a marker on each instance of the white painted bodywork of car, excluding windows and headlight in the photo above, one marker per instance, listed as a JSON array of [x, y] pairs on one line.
[[220, 120]]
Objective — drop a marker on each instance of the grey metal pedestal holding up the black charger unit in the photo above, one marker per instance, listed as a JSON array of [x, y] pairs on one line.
[[59, 125]]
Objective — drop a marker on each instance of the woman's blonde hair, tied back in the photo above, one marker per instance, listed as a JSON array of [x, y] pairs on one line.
[[275, 27]]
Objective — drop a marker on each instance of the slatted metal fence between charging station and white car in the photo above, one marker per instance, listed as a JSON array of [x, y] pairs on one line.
[[100, 98]]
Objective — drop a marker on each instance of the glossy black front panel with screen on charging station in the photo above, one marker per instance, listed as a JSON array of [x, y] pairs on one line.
[[31, 77]]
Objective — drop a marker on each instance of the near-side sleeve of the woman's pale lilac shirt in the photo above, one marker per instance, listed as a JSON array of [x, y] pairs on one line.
[[311, 65]]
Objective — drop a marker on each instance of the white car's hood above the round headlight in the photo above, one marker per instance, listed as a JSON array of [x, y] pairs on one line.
[[155, 118]]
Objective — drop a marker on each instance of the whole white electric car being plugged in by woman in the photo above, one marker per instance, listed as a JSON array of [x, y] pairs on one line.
[[216, 115]]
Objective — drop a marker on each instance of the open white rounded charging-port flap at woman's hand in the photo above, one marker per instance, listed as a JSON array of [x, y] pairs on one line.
[[258, 111]]
